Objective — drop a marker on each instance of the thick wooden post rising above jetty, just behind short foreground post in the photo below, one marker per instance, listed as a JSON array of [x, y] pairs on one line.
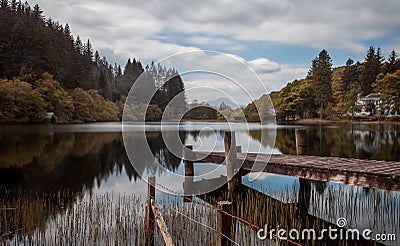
[[232, 163]]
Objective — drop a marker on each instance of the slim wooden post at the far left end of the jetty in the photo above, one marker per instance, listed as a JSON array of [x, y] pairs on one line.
[[188, 156]]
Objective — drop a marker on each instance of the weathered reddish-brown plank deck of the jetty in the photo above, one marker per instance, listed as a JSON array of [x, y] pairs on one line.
[[360, 172]]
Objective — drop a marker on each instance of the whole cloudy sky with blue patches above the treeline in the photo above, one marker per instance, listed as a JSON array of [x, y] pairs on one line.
[[278, 39]]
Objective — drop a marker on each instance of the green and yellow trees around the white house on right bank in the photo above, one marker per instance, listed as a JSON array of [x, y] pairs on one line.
[[368, 89]]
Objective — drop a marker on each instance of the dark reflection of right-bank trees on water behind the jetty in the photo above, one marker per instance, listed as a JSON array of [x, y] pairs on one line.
[[378, 142]]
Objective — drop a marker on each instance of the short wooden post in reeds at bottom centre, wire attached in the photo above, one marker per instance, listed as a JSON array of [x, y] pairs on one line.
[[224, 224]]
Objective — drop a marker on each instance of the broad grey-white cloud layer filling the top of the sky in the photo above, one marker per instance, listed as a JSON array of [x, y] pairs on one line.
[[131, 27]]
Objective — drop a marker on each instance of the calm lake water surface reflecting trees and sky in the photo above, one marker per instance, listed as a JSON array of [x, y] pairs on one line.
[[90, 159]]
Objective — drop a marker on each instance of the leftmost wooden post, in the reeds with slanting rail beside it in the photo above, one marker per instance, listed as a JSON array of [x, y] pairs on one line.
[[149, 220]]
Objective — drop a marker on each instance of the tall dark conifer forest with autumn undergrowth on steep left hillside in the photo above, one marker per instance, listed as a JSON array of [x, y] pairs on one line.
[[43, 68]]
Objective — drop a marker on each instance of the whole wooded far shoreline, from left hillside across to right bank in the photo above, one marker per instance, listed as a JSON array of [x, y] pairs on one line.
[[43, 68]]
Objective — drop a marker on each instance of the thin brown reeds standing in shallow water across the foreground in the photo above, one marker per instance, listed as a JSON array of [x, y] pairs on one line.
[[68, 218]]
